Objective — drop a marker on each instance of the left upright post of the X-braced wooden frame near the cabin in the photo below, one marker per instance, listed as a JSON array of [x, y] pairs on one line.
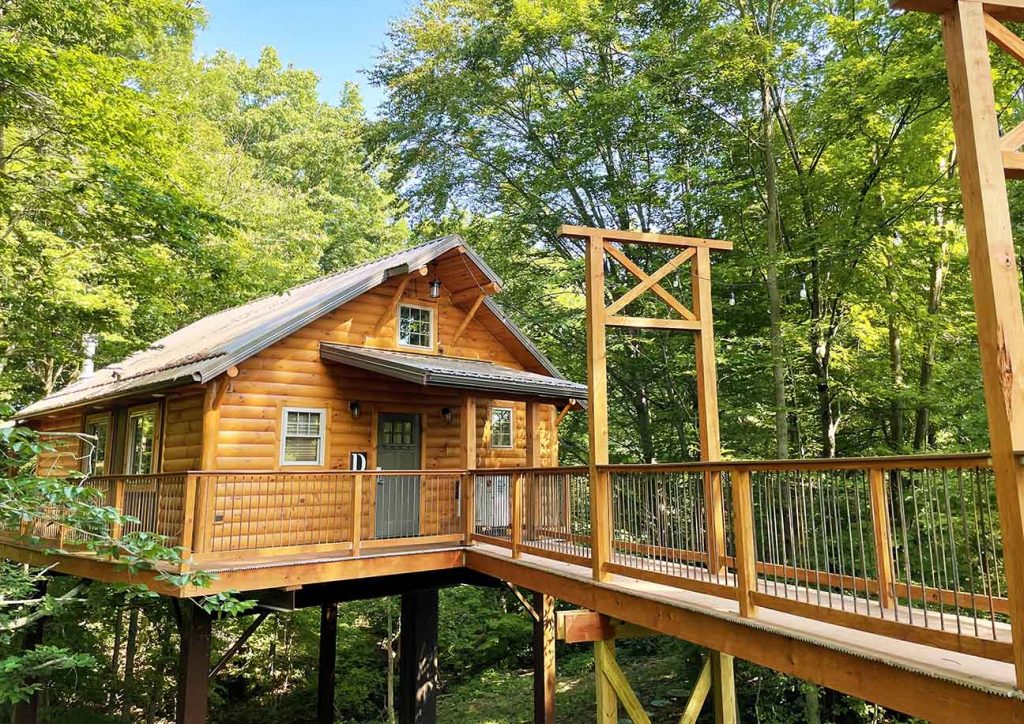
[[598, 388]]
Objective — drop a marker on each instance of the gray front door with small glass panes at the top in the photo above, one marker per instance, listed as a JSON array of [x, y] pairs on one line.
[[398, 496]]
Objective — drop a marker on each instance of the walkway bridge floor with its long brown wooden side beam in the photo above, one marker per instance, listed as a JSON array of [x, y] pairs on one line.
[[920, 680]]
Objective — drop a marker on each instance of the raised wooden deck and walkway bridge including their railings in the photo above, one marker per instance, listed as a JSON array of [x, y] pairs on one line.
[[880, 578]]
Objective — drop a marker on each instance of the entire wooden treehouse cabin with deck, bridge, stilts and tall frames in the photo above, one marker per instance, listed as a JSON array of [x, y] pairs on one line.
[[389, 431]]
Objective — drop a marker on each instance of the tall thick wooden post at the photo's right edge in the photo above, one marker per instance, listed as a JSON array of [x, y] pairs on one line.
[[994, 274]]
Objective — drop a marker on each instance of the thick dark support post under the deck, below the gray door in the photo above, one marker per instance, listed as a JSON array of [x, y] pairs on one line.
[[418, 659]]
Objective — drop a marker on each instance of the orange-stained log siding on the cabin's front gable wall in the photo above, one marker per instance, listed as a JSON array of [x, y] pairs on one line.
[[291, 374]]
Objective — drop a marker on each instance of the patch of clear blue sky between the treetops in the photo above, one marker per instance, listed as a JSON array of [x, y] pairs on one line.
[[337, 39]]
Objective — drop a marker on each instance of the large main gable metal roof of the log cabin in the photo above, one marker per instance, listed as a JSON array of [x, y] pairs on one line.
[[209, 347]]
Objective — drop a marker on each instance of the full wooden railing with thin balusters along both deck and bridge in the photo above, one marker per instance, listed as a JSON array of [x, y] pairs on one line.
[[908, 547]]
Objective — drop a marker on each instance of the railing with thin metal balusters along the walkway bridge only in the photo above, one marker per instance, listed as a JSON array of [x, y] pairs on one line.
[[908, 547]]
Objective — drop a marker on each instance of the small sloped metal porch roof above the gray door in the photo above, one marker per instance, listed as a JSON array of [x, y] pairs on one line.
[[435, 371]]
